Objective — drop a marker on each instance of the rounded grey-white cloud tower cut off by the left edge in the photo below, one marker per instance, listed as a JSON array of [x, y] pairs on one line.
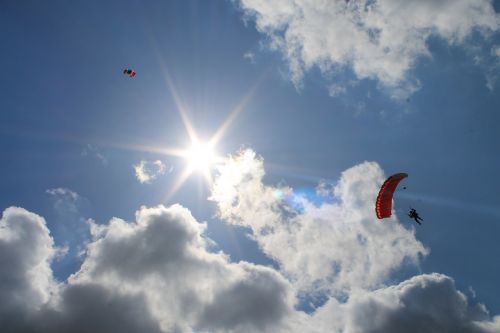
[[26, 250]]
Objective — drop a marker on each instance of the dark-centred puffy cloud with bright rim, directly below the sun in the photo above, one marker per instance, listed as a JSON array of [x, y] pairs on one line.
[[163, 256]]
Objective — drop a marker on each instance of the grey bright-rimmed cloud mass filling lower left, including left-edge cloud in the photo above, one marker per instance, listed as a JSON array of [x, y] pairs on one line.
[[152, 275]]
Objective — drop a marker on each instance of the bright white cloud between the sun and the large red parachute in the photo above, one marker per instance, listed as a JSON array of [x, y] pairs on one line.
[[337, 246]]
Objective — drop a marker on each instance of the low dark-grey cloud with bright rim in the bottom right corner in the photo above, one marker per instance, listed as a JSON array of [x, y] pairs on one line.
[[425, 303]]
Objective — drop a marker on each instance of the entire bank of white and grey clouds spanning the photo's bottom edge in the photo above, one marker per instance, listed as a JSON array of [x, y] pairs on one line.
[[156, 274]]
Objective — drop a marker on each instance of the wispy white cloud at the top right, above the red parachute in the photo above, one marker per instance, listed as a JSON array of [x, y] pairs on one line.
[[375, 39]]
